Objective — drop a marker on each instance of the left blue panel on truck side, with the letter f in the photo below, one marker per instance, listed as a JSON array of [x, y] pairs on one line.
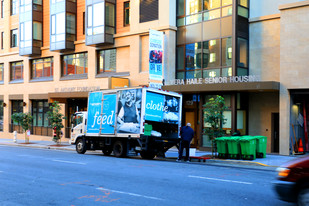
[[94, 111]]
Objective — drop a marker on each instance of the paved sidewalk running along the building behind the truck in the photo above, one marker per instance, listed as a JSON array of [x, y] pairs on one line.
[[271, 161]]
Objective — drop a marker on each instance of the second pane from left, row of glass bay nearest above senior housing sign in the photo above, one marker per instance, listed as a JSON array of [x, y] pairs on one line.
[[193, 56]]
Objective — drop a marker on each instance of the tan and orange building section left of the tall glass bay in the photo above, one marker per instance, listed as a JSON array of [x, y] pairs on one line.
[[59, 50]]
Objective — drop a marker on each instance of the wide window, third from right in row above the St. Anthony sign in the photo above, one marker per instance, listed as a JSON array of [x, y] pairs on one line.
[[42, 68]]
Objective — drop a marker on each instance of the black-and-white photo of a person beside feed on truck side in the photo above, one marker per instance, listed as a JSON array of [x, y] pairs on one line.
[[129, 115]]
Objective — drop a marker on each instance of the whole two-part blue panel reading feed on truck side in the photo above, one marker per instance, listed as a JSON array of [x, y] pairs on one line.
[[95, 119]]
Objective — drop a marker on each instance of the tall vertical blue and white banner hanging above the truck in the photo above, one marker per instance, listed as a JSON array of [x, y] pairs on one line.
[[155, 55]]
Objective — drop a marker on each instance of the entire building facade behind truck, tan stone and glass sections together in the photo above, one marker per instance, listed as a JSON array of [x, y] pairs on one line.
[[251, 52]]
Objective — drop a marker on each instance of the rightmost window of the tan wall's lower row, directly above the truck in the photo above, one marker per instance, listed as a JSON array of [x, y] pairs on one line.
[[107, 61]]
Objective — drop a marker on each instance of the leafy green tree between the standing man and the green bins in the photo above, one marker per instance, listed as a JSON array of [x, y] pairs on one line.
[[214, 118]]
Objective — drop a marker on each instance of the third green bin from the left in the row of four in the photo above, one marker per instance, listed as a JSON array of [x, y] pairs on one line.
[[248, 147]]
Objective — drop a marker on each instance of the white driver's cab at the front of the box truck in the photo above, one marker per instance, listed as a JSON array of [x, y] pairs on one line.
[[78, 121]]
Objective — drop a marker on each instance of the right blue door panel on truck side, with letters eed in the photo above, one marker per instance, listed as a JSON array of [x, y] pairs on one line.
[[108, 114]]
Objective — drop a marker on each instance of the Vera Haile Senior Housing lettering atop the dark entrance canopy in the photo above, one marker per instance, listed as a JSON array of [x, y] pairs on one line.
[[216, 80]]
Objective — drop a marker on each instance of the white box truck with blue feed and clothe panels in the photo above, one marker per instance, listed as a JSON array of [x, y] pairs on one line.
[[128, 121]]
